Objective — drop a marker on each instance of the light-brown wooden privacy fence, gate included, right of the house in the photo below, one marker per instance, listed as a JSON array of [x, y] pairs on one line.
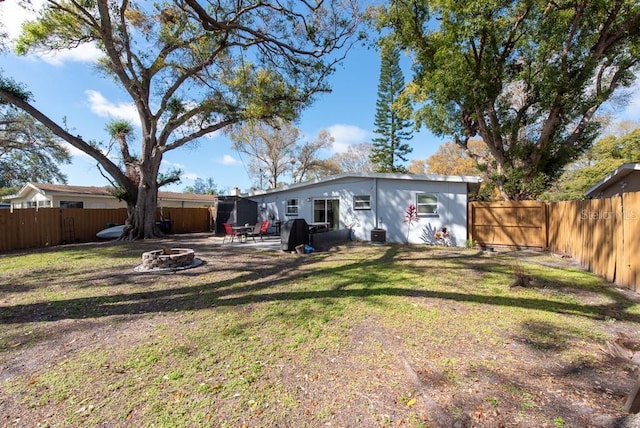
[[603, 235]]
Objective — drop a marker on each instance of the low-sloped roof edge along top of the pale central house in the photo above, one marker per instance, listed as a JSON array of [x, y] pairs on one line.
[[408, 177]]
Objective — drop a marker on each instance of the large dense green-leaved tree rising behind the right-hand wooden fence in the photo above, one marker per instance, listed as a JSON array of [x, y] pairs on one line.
[[527, 76]]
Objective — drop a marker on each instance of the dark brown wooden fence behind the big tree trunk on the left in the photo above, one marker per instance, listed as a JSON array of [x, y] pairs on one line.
[[30, 228]]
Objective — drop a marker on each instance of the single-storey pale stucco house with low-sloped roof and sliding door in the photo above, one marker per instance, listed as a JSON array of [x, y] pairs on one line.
[[368, 202]]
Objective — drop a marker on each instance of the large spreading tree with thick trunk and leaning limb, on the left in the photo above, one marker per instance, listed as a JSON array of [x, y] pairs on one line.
[[191, 68]]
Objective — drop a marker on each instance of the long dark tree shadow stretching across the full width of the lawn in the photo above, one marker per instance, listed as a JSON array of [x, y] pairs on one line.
[[253, 286]]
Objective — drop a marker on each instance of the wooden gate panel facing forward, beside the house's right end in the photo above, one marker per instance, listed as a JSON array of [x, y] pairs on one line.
[[519, 224]]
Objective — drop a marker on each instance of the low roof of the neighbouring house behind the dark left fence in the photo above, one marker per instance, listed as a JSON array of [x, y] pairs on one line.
[[61, 189]]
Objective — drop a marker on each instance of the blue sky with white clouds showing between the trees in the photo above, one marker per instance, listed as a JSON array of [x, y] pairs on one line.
[[67, 87]]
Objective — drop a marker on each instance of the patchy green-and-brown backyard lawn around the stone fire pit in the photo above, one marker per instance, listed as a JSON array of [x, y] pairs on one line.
[[360, 336]]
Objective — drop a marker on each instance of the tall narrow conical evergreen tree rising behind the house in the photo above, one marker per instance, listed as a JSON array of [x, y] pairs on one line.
[[392, 112]]
